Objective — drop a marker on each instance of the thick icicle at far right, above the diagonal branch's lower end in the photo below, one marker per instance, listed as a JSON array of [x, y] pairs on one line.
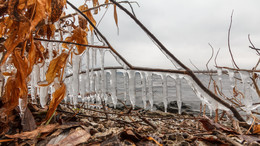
[[247, 100]]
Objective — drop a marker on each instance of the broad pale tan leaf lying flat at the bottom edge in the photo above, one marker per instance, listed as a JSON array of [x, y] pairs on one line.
[[77, 137]]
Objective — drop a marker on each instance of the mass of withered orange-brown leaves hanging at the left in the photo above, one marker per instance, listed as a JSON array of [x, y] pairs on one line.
[[21, 21]]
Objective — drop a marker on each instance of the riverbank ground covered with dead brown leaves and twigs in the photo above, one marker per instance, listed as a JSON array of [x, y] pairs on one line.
[[83, 126]]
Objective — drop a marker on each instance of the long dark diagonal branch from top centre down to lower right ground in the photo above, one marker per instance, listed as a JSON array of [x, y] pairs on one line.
[[189, 71]]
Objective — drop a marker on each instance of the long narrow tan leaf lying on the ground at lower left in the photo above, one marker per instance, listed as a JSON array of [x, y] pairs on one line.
[[33, 134]]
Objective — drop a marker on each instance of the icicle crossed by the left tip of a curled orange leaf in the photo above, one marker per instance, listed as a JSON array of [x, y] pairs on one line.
[[43, 90]]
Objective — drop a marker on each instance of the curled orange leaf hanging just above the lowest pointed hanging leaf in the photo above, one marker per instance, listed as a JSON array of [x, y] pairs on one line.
[[55, 67]]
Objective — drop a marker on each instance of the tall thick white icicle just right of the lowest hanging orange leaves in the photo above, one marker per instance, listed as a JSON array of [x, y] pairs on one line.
[[75, 77]]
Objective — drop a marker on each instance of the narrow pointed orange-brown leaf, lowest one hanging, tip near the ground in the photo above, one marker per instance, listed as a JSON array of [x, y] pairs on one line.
[[57, 97]]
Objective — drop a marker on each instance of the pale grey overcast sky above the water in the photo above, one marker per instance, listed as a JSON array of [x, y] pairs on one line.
[[186, 27]]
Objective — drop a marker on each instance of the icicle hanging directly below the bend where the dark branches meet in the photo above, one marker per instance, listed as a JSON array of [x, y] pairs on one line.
[[131, 74]]
